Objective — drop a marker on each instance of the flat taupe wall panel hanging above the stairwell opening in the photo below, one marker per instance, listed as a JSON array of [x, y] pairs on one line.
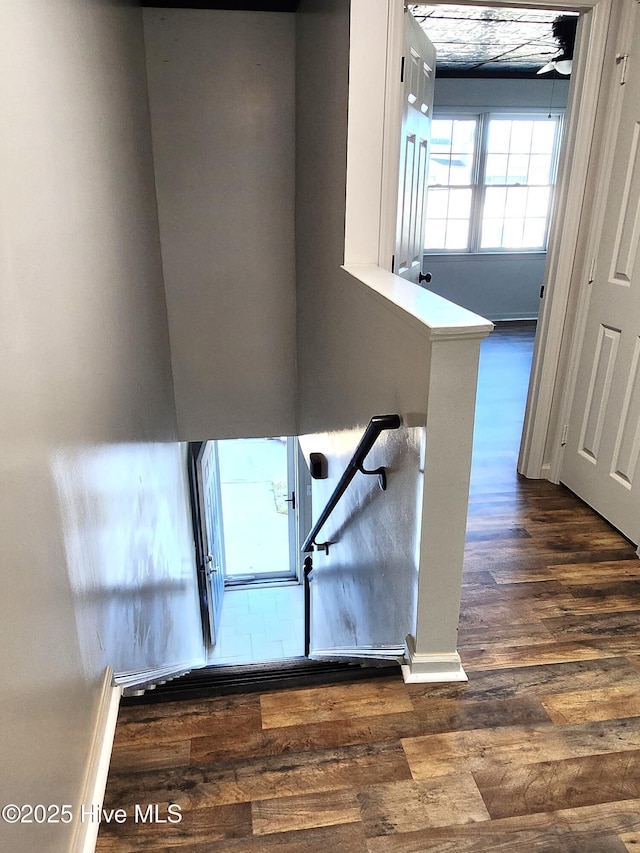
[[221, 90]]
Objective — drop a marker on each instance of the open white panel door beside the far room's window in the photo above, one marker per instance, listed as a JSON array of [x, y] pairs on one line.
[[418, 69]]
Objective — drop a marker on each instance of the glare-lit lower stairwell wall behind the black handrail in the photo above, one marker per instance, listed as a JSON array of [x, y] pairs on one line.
[[375, 538]]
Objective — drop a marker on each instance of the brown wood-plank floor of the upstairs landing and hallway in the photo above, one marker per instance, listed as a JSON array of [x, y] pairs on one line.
[[540, 751]]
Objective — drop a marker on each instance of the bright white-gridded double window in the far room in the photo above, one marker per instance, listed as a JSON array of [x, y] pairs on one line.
[[491, 178]]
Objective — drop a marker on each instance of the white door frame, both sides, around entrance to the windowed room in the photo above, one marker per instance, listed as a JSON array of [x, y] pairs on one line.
[[371, 208]]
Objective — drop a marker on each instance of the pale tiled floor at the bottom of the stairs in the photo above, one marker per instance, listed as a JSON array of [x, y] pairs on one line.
[[260, 624]]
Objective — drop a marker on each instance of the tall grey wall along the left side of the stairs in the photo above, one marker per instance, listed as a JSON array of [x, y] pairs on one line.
[[96, 554]]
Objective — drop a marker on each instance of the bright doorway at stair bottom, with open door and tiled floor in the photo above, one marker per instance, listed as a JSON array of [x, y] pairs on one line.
[[251, 511]]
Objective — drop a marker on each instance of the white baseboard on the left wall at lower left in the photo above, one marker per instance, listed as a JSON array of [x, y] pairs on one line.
[[97, 769]]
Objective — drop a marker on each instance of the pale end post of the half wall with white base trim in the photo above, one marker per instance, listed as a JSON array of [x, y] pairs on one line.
[[453, 371]]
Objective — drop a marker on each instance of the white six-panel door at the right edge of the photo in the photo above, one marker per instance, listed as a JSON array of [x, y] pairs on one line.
[[603, 439]]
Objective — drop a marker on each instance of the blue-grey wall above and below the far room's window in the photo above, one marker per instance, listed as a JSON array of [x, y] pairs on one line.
[[500, 287]]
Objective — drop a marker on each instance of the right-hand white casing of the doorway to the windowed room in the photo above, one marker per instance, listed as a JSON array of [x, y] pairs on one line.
[[565, 268]]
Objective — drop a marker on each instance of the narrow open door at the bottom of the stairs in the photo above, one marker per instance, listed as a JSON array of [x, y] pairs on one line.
[[212, 533]]
